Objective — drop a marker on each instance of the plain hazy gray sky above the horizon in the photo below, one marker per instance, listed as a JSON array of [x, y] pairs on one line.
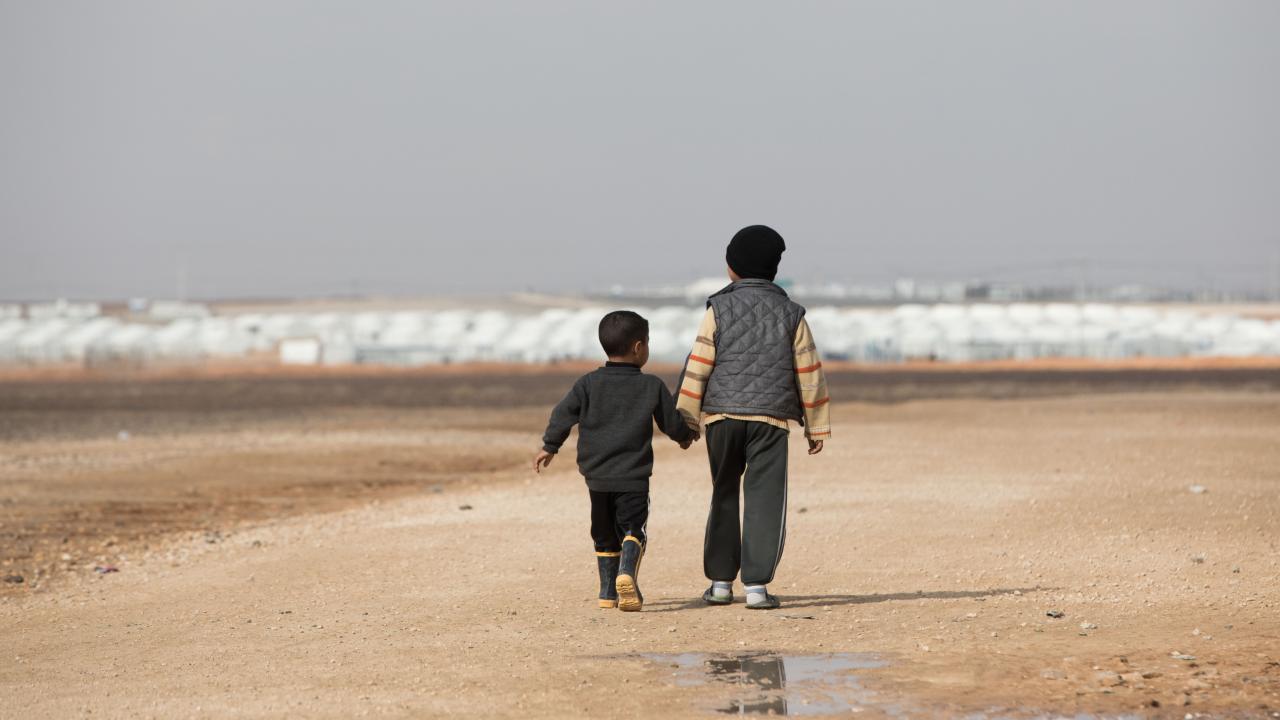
[[284, 148]]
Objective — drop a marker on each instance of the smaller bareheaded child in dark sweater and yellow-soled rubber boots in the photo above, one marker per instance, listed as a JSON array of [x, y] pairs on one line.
[[615, 409]]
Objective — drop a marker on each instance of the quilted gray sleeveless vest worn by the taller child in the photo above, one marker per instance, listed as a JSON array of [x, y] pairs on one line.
[[756, 330]]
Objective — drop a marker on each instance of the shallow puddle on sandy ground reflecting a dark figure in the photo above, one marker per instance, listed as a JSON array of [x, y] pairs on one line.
[[765, 683]]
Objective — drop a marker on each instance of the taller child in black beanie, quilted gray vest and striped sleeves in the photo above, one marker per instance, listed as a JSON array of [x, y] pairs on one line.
[[753, 370]]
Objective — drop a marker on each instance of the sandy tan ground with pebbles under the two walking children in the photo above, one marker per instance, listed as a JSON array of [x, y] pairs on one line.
[[354, 558]]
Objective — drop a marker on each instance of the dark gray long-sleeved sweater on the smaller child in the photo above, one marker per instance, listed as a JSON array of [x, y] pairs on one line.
[[615, 409]]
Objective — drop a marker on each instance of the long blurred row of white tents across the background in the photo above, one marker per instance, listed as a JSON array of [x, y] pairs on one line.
[[939, 332]]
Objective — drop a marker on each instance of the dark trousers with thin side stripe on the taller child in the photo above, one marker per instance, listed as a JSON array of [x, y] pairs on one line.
[[755, 548]]
